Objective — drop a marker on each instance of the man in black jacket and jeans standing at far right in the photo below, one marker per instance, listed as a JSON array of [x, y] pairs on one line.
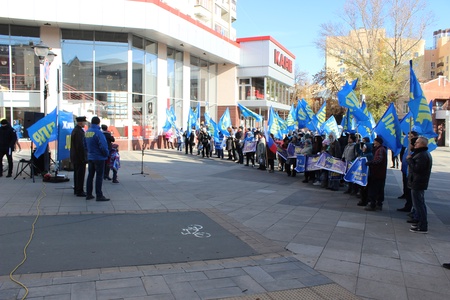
[[419, 171]]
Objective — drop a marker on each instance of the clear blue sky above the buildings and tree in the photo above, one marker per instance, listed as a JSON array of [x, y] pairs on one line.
[[295, 24]]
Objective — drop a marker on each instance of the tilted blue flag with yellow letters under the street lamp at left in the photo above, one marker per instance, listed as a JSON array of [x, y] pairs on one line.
[[42, 132]]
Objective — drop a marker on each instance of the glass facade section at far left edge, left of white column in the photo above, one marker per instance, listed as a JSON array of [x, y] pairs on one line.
[[19, 67]]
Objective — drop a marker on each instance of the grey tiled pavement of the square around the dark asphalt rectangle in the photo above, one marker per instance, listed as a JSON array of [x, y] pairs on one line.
[[312, 243]]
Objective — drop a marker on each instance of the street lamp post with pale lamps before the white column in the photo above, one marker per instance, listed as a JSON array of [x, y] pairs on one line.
[[46, 57]]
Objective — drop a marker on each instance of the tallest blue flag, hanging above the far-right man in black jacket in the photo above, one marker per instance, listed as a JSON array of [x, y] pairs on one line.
[[418, 106]]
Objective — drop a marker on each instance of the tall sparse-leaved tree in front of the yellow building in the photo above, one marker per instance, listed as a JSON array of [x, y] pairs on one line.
[[374, 40]]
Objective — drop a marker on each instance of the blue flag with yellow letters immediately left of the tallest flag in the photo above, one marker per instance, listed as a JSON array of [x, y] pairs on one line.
[[389, 129]]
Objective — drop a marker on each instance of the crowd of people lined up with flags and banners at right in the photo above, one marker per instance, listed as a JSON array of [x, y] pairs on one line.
[[249, 146]]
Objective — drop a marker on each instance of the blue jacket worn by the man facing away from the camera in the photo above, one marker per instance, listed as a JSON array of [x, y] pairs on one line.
[[95, 144]]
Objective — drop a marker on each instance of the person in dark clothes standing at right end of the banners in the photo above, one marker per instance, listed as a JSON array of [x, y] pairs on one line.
[[377, 176]]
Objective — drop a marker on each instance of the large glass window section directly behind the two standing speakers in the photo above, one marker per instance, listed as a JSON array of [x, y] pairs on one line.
[[95, 79]]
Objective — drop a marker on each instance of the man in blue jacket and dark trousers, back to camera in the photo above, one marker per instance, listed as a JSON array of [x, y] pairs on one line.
[[97, 153]]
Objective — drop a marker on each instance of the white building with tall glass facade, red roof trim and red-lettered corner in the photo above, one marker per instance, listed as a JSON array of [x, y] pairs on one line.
[[127, 61]]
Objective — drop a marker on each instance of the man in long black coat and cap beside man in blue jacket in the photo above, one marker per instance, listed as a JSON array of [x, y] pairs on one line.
[[78, 156]]
